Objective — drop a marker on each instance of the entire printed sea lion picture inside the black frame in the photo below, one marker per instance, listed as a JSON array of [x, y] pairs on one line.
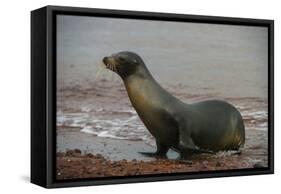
[[144, 97]]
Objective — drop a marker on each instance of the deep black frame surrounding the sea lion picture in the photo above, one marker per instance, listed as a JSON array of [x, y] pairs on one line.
[[43, 94]]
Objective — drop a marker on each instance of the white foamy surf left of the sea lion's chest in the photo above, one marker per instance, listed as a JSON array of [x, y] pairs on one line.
[[129, 126]]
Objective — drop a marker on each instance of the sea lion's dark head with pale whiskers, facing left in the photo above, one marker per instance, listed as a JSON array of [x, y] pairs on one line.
[[123, 63]]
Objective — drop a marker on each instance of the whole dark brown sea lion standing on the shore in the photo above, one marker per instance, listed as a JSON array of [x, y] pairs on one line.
[[203, 127]]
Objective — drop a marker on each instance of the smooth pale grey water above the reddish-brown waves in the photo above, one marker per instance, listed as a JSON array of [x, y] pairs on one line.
[[229, 59]]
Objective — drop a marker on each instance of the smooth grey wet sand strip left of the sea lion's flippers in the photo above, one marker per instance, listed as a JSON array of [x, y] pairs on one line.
[[111, 149]]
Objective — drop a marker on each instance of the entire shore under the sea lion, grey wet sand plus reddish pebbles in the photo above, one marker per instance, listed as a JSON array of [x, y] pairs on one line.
[[82, 155]]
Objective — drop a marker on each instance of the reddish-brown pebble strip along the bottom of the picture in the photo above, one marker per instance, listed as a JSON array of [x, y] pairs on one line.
[[73, 164]]
